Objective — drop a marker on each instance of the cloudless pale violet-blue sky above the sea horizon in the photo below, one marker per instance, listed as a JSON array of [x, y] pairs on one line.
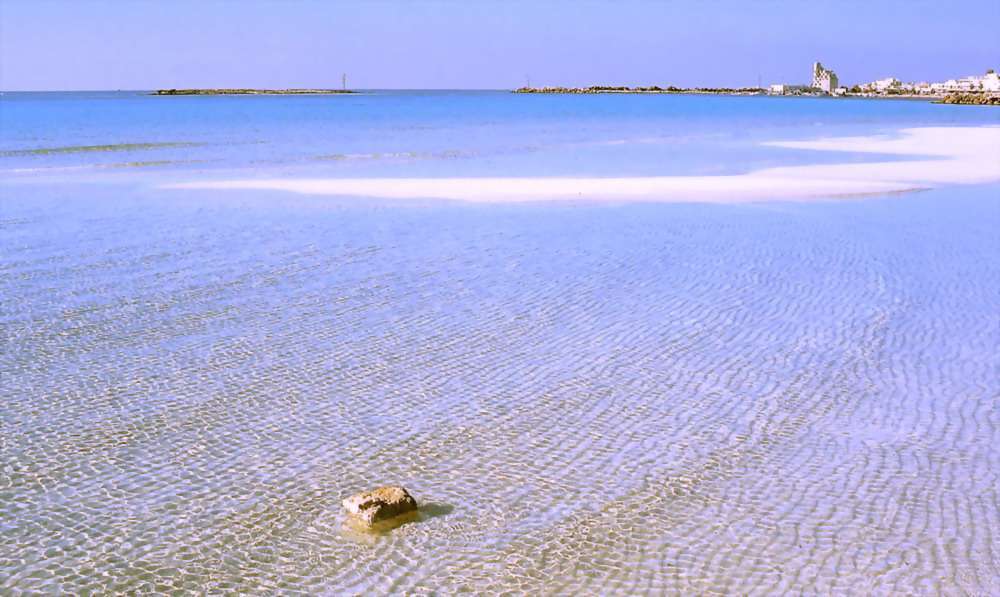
[[144, 44]]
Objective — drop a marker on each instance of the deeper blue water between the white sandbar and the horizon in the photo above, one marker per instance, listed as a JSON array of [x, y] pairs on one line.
[[437, 133]]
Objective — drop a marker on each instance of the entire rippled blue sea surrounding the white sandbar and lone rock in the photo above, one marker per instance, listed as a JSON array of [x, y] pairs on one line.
[[585, 397]]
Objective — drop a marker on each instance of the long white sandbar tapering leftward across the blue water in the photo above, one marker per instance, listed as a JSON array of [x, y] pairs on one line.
[[947, 155]]
